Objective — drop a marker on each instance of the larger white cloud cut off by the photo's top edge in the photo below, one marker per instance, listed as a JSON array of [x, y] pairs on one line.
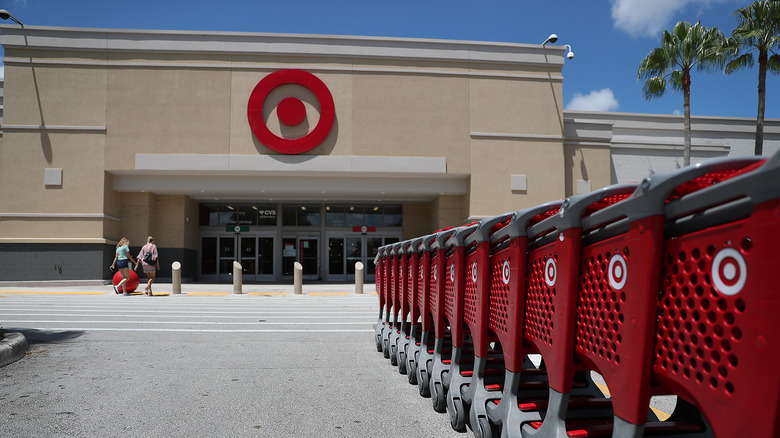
[[640, 18]]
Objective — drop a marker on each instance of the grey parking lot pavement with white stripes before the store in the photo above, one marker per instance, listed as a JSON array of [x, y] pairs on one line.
[[204, 363]]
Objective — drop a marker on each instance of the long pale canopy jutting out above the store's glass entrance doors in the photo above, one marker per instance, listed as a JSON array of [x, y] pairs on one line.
[[238, 177]]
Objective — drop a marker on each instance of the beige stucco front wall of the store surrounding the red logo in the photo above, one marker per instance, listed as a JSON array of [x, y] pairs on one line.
[[90, 112]]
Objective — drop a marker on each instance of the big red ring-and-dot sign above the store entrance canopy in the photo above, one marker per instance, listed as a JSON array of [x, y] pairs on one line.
[[284, 91]]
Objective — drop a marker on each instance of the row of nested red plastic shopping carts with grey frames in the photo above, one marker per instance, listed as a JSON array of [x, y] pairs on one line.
[[664, 287]]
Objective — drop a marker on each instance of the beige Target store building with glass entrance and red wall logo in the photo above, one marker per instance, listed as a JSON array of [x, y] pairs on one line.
[[271, 149]]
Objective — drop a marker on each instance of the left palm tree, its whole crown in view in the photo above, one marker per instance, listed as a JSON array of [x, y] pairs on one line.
[[685, 47]]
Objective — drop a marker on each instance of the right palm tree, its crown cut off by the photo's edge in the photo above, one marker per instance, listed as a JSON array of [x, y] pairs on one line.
[[758, 29]]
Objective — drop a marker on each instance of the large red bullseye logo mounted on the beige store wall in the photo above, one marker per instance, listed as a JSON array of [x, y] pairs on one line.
[[291, 111]]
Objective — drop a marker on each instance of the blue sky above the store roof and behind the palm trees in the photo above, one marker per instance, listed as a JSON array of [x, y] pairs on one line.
[[608, 37]]
